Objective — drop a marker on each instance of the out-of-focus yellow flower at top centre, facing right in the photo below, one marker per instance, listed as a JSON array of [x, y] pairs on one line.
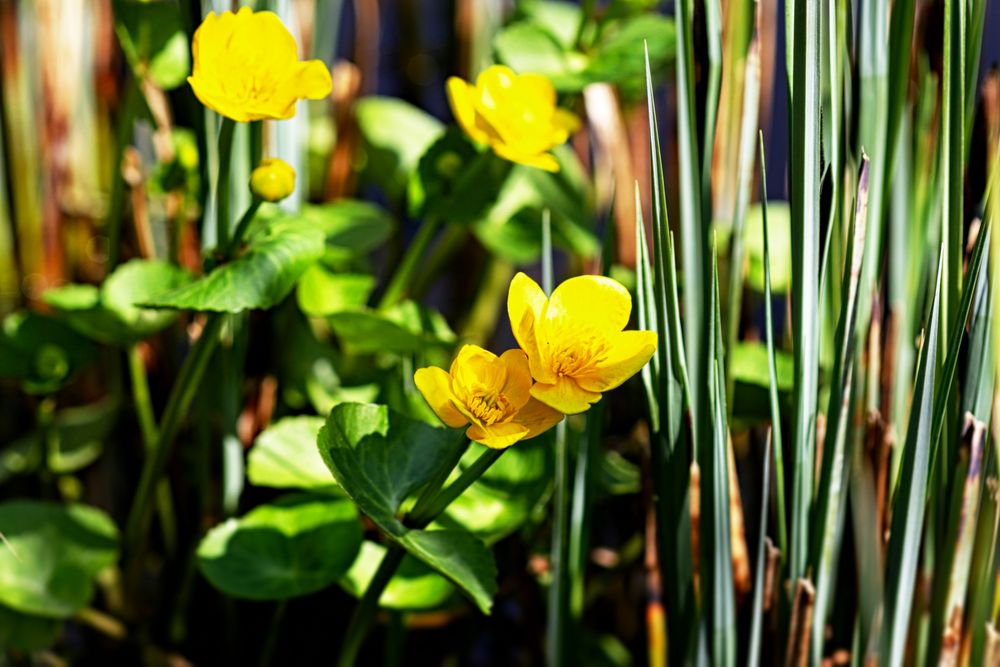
[[516, 115]]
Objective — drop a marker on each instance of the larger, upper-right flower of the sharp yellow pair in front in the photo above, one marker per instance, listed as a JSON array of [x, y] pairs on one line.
[[575, 344]]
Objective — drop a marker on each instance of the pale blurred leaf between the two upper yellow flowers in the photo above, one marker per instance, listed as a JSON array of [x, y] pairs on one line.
[[396, 134]]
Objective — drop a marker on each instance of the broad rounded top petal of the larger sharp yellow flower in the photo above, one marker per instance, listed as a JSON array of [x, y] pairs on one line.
[[585, 305]]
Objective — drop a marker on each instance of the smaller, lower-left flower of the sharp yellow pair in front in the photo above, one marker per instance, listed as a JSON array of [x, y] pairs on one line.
[[491, 392]]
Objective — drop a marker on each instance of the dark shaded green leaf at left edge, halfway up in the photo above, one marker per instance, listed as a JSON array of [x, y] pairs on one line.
[[41, 352]]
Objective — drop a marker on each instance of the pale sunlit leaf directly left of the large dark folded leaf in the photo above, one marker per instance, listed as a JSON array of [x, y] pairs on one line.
[[284, 456]]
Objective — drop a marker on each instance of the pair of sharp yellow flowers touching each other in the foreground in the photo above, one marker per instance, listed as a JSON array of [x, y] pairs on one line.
[[572, 345]]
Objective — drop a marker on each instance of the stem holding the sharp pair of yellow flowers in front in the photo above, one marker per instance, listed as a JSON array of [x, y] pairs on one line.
[[429, 507]]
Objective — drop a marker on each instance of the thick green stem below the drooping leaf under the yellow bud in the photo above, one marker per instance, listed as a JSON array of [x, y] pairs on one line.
[[183, 392]]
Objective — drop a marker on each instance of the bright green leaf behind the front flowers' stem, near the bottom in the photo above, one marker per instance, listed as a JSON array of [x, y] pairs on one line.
[[414, 587]]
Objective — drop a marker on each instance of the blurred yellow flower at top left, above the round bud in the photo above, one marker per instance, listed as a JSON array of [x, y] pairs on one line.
[[246, 67]]
